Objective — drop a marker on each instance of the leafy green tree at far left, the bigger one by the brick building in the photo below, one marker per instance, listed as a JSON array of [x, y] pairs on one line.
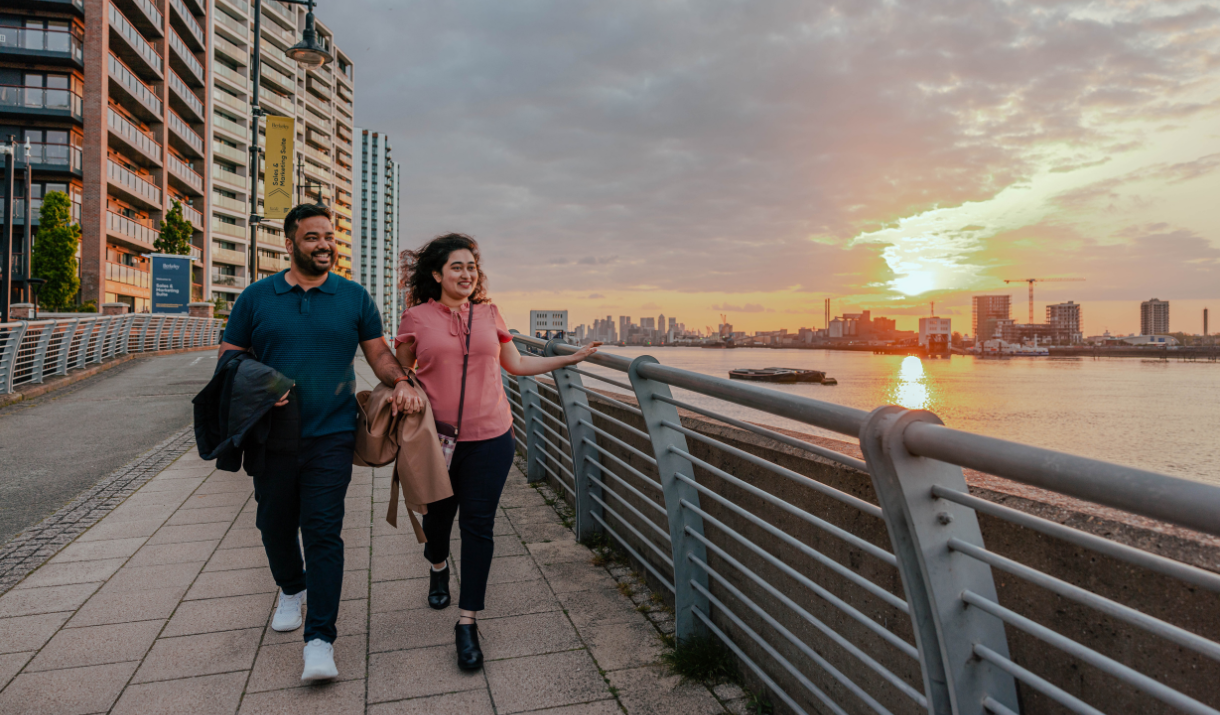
[[56, 248]]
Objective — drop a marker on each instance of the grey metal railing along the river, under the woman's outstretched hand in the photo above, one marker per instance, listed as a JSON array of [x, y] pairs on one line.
[[849, 585]]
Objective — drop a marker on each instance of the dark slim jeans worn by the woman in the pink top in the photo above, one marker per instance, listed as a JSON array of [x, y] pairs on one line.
[[478, 474]]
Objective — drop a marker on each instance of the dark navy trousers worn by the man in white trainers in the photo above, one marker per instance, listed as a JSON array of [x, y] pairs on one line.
[[306, 490]]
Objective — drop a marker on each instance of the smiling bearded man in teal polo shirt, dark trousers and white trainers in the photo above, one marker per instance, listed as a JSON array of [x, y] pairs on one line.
[[307, 324]]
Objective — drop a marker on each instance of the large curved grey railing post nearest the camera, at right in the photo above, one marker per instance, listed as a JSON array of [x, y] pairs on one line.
[[920, 526]]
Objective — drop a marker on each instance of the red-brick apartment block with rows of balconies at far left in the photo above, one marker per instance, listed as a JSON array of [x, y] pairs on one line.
[[112, 99]]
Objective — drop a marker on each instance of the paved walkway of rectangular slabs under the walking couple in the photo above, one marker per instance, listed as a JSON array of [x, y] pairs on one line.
[[164, 607]]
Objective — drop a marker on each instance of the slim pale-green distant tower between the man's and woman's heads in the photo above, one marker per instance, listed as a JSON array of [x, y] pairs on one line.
[[376, 240]]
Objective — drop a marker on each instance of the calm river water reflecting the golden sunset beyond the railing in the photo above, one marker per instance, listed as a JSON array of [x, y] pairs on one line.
[[1150, 414]]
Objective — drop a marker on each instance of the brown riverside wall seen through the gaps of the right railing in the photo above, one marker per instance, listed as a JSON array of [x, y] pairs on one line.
[[1166, 598]]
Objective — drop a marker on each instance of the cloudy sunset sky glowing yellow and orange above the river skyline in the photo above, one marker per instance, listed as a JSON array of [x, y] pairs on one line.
[[698, 158]]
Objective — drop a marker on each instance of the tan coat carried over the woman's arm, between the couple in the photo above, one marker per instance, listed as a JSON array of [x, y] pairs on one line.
[[411, 441]]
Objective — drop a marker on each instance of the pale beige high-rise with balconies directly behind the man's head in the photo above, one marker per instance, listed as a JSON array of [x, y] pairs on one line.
[[321, 103]]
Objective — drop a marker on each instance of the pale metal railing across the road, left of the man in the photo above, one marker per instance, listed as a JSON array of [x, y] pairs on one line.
[[34, 351]]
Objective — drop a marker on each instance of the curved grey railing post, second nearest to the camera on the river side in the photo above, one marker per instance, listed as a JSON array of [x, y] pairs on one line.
[[681, 520]]
